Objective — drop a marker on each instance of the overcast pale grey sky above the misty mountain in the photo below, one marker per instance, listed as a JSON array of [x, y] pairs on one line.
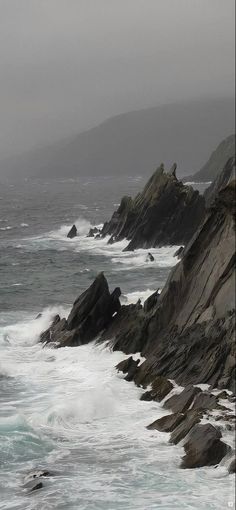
[[66, 65]]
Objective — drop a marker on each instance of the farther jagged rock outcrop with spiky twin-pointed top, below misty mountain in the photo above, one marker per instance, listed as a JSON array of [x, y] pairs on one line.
[[165, 213]]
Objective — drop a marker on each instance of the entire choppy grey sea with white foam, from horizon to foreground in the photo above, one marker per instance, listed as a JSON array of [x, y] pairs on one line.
[[68, 410]]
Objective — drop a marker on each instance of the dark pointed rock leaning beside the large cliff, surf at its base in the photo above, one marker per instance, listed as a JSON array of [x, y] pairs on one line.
[[91, 313]]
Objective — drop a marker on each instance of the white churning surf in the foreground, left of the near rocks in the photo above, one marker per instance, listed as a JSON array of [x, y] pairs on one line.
[[73, 413]]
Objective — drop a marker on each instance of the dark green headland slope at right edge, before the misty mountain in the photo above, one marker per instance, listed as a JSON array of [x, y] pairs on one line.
[[218, 159]]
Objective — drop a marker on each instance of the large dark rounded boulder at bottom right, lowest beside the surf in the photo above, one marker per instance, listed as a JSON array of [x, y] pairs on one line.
[[204, 447]]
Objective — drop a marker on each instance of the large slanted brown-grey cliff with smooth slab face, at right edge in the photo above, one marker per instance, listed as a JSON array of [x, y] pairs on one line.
[[188, 334]]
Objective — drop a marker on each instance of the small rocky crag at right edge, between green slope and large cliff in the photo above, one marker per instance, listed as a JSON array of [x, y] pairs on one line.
[[222, 179]]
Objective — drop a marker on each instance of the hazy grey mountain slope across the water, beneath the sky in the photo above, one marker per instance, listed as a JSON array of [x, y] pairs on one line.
[[134, 142]]
